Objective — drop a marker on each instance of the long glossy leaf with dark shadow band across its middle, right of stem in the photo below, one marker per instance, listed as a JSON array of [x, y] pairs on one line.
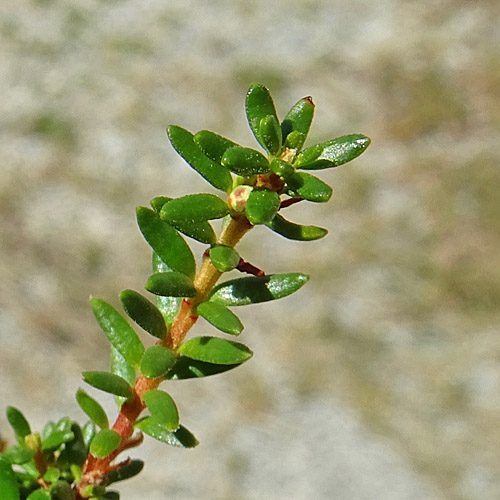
[[255, 289]]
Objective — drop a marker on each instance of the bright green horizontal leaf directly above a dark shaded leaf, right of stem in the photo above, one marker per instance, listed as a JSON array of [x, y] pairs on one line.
[[215, 350]]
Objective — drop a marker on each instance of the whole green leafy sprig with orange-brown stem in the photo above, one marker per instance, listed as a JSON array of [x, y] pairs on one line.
[[69, 462]]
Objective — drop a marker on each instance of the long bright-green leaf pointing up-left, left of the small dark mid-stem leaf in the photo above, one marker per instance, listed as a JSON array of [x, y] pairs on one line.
[[119, 332]]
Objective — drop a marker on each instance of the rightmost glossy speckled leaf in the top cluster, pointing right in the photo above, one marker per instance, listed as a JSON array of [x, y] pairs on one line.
[[332, 153]]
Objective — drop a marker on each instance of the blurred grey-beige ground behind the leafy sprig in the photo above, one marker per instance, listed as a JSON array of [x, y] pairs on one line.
[[381, 378]]
